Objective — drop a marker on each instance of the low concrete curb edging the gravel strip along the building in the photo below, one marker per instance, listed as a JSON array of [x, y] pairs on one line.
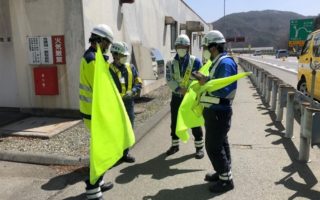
[[54, 159]]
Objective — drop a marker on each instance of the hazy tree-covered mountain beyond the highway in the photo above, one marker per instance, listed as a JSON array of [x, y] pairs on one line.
[[268, 28]]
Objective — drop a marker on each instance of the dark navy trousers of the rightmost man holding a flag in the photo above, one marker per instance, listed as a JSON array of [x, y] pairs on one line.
[[217, 124]]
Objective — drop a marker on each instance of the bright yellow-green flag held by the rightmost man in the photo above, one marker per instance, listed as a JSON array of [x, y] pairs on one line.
[[190, 111]]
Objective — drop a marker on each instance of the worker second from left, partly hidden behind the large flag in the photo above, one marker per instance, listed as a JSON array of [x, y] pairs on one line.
[[128, 82]]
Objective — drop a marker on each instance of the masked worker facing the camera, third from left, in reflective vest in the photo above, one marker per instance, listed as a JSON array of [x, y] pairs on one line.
[[178, 76]]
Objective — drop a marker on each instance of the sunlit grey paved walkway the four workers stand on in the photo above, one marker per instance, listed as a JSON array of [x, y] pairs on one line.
[[264, 165]]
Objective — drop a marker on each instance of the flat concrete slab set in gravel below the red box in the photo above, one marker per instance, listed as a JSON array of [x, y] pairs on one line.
[[44, 127]]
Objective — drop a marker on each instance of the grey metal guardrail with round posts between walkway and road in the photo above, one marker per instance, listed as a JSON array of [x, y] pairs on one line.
[[297, 106]]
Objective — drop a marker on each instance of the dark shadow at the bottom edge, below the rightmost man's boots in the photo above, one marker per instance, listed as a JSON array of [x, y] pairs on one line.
[[198, 192]]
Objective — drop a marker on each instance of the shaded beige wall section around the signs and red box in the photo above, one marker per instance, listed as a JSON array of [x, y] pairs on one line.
[[46, 18]]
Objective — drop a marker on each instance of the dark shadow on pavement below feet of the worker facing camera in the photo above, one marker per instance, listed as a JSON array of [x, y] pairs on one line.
[[158, 167]]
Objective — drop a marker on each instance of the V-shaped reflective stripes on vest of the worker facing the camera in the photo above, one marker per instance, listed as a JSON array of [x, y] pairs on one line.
[[186, 78]]
